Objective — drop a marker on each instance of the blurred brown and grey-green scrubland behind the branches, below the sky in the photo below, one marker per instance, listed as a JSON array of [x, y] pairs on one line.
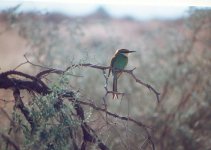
[[174, 56]]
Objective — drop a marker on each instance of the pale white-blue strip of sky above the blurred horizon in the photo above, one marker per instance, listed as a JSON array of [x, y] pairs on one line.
[[161, 9]]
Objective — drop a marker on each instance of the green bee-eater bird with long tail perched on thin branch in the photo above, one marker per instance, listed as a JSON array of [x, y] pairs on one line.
[[118, 62]]
